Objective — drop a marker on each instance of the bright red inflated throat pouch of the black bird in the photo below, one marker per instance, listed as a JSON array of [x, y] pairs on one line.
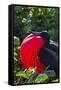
[[29, 52]]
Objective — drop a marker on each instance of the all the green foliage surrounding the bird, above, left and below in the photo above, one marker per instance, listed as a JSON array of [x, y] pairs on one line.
[[28, 18]]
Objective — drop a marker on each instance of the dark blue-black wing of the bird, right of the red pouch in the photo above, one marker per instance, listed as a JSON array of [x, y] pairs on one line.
[[50, 57]]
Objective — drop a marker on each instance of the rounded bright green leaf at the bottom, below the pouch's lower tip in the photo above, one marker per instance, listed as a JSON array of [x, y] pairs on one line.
[[41, 78]]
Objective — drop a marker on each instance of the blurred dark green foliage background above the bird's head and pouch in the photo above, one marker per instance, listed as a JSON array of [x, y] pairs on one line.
[[37, 19]]
